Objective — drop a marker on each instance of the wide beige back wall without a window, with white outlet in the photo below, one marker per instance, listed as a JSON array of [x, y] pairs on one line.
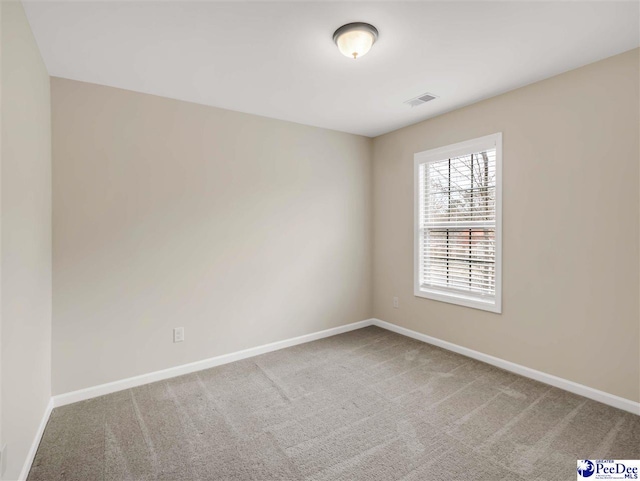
[[242, 229]]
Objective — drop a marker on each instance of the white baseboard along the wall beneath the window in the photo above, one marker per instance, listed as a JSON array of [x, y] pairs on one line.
[[580, 389]]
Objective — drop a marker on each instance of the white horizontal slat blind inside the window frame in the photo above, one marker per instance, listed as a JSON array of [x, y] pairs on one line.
[[458, 222]]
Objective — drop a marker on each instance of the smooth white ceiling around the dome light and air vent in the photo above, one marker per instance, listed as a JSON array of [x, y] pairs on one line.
[[277, 59]]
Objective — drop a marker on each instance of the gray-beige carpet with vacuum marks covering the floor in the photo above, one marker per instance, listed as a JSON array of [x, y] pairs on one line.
[[365, 405]]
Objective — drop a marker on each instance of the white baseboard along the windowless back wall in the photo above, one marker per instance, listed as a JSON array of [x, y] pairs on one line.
[[102, 389]]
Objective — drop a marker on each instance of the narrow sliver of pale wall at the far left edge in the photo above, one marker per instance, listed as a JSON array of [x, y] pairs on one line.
[[26, 237]]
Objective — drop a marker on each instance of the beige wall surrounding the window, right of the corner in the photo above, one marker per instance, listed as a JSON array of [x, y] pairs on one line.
[[570, 235]]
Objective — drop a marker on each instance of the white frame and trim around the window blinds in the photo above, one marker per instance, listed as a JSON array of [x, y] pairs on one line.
[[443, 153]]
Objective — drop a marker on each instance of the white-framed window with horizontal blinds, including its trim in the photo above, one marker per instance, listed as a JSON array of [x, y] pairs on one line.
[[458, 211]]
